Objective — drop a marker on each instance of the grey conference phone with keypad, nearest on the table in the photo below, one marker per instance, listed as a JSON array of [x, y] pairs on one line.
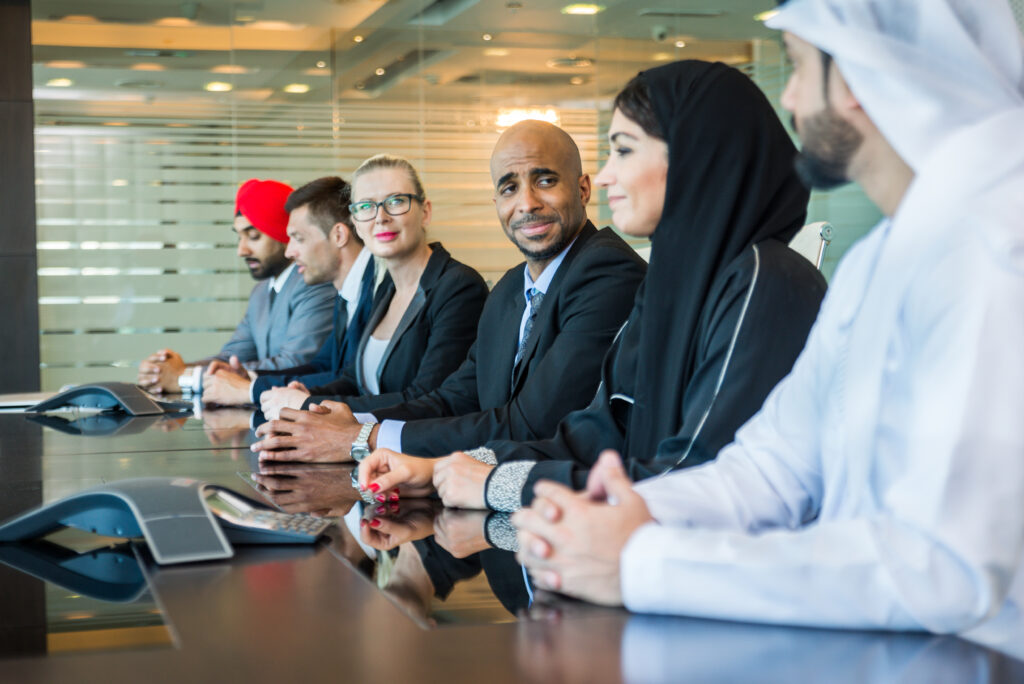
[[183, 520]]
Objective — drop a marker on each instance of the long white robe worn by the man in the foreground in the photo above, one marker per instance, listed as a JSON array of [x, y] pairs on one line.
[[882, 485]]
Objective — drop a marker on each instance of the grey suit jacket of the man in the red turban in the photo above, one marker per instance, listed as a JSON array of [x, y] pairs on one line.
[[287, 334]]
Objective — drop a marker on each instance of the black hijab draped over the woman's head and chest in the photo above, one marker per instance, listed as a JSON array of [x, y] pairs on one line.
[[732, 184]]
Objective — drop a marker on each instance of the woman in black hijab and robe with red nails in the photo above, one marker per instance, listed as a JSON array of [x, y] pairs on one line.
[[724, 311]]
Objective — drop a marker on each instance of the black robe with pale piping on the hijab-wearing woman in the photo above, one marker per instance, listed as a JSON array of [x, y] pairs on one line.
[[755, 323]]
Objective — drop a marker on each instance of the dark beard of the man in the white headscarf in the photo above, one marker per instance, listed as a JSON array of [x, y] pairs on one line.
[[829, 145]]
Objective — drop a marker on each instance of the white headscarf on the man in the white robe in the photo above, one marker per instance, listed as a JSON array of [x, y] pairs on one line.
[[921, 69]]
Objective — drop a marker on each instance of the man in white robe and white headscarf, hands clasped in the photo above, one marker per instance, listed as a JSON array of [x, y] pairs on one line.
[[882, 484]]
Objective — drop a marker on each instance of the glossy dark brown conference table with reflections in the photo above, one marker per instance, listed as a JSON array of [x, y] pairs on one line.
[[405, 592]]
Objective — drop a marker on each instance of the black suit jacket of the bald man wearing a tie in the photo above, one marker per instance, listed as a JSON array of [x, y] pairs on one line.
[[588, 301]]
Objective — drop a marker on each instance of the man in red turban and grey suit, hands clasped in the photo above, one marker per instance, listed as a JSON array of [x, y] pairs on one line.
[[286, 320]]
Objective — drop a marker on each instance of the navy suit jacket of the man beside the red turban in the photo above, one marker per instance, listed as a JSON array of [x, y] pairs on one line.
[[338, 350]]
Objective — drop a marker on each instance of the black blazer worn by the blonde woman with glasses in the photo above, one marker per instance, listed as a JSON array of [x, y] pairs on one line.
[[432, 340]]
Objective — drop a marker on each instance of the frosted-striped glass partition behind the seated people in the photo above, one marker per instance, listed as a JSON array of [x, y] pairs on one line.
[[150, 115]]
